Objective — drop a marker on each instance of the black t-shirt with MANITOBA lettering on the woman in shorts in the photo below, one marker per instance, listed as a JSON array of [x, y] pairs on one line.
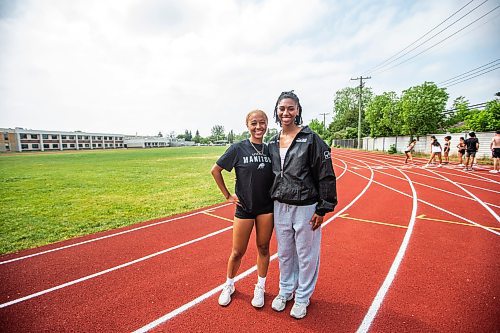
[[254, 175]]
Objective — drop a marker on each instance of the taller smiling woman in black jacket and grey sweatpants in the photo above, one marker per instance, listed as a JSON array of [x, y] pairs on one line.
[[304, 190]]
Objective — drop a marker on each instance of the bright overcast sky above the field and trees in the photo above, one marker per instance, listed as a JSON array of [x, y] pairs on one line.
[[144, 66]]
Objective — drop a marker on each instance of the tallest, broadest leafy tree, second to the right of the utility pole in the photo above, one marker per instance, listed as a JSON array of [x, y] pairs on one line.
[[422, 109]]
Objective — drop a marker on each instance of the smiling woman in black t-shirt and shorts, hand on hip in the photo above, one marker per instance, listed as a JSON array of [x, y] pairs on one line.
[[254, 177]]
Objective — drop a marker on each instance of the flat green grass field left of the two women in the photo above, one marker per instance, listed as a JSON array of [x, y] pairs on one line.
[[47, 197]]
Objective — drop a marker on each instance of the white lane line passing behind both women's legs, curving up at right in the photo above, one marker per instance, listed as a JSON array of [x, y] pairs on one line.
[[201, 298]]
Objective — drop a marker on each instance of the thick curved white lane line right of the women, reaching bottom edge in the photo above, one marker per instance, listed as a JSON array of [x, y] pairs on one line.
[[382, 292]]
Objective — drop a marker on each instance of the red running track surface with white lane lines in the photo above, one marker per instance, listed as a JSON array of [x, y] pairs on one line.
[[407, 250]]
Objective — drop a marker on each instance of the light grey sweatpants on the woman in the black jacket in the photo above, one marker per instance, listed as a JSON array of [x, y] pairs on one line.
[[298, 250]]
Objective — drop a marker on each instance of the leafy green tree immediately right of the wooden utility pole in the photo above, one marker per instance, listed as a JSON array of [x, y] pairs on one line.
[[383, 115]]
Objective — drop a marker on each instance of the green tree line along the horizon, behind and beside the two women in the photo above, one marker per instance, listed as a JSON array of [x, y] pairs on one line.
[[417, 111]]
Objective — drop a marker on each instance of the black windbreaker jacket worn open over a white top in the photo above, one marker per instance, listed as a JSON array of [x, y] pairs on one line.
[[307, 176]]
